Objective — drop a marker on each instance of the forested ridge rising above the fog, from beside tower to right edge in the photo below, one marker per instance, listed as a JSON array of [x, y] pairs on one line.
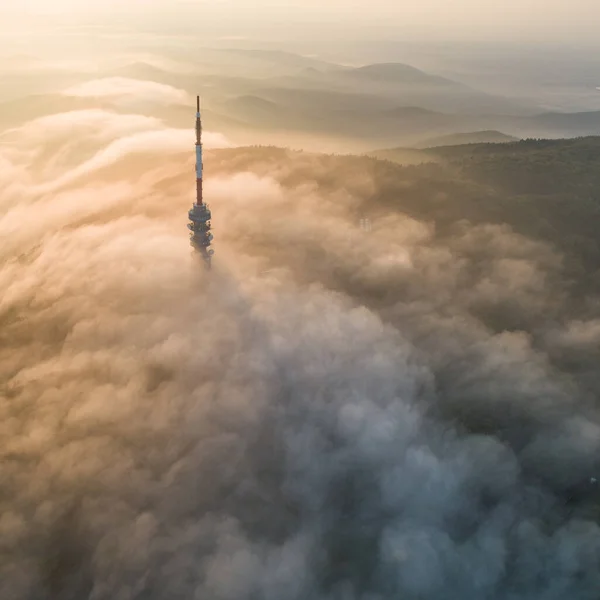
[[544, 189]]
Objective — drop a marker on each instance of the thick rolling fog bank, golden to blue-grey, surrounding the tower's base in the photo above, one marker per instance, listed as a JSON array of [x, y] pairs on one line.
[[358, 423]]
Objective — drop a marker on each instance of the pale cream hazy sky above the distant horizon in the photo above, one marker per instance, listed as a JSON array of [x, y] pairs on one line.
[[540, 20]]
